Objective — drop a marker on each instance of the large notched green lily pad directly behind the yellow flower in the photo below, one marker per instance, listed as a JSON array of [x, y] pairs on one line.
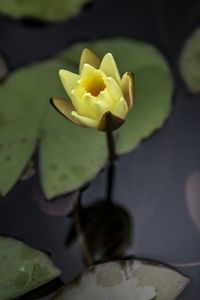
[[71, 156]]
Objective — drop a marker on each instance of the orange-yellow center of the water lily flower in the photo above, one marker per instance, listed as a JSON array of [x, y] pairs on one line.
[[94, 84]]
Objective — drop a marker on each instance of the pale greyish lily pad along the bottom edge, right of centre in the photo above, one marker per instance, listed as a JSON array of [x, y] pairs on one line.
[[130, 279]]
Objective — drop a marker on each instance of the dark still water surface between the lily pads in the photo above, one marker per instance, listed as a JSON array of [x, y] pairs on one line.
[[157, 183]]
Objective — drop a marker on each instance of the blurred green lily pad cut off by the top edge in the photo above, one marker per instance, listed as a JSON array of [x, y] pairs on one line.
[[48, 10]]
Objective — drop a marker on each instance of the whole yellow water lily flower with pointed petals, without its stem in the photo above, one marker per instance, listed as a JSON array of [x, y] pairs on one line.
[[99, 97]]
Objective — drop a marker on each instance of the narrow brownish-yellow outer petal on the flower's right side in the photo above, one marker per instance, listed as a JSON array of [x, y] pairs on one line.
[[127, 85]]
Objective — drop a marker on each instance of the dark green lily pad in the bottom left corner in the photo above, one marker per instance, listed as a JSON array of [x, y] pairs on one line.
[[22, 268]]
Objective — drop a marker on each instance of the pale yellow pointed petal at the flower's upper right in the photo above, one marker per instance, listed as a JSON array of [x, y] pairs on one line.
[[109, 67]]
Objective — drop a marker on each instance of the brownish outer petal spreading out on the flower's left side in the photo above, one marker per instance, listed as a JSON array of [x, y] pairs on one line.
[[65, 108]]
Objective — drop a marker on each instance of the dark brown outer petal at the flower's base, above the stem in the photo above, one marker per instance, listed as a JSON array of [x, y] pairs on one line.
[[109, 122]]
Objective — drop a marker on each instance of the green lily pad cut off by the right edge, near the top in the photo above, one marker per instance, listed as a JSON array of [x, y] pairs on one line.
[[190, 62]]
